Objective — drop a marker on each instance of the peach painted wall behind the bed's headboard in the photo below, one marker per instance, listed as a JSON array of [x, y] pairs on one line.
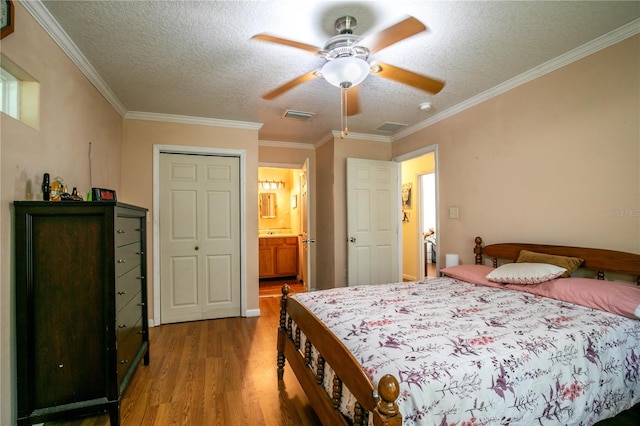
[[556, 160]]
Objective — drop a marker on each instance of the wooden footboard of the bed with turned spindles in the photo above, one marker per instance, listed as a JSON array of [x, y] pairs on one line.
[[348, 372]]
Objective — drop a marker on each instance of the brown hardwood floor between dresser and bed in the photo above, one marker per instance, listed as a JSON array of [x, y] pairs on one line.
[[223, 372]]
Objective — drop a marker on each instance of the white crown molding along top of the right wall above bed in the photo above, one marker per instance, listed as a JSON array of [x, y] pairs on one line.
[[602, 42]]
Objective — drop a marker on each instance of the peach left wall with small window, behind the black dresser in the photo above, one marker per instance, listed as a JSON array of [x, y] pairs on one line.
[[72, 114]]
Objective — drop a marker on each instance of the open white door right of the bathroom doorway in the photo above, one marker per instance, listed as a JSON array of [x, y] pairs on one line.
[[373, 206]]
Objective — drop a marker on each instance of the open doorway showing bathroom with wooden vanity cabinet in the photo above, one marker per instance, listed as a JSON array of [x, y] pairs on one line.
[[281, 222]]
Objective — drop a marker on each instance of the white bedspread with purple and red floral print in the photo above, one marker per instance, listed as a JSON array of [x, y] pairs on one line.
[[473, 355]]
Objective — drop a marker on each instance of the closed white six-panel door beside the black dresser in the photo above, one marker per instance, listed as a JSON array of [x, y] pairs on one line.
[[199, 237]]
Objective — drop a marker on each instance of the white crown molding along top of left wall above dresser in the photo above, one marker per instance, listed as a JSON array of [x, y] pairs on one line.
[[51, 26]]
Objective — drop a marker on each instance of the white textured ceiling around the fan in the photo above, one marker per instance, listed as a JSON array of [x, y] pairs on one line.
[[197, 59]]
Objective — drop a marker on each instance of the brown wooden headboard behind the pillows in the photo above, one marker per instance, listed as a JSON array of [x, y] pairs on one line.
[[600, 260]]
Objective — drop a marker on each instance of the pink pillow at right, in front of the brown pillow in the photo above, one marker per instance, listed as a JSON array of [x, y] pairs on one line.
[[610, 296]]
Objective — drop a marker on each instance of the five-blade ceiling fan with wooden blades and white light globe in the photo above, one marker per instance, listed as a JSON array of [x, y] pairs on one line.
[[347, 63]]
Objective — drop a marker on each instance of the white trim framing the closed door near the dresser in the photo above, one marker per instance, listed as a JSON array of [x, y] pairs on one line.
[[197, 150]]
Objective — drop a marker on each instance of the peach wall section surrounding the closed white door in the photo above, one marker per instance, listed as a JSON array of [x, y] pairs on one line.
[[139, 137]]
